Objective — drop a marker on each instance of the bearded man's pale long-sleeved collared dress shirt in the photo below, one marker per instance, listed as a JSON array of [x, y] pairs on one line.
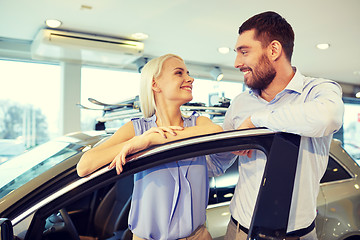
[[310, 107]]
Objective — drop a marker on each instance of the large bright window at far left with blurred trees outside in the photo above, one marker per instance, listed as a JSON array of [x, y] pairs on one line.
[[29, 103]]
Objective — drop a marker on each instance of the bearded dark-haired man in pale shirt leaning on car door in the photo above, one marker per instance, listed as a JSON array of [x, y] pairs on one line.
[[281, 99]]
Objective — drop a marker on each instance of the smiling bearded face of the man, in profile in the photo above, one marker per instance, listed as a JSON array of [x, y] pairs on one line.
[[252, 60]]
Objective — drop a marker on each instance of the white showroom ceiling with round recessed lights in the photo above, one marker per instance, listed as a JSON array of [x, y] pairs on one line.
[[196, 29]]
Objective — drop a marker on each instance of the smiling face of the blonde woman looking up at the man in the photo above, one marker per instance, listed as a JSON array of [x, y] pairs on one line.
[[174, 82]]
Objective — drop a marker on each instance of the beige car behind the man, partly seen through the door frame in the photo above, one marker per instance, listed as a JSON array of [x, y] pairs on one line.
[[338, 203]]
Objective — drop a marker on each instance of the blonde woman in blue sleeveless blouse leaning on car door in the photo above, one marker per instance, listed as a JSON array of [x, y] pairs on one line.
[[169, 201]]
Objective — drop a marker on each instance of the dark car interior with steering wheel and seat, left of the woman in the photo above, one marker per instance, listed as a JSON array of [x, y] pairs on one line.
[[102, 214]]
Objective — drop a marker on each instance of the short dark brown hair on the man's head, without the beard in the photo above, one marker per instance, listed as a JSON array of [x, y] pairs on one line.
[[270, 26]]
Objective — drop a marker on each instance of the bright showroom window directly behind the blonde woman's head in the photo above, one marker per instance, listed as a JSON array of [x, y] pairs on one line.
[[114, 86]]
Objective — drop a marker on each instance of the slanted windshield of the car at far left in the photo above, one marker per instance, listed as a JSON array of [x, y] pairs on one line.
[[21, 169]]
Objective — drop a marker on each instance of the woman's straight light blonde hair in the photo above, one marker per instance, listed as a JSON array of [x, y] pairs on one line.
[[150, 72]]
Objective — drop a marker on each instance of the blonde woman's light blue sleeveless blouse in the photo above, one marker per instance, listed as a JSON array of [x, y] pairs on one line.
[[169, 201]]
